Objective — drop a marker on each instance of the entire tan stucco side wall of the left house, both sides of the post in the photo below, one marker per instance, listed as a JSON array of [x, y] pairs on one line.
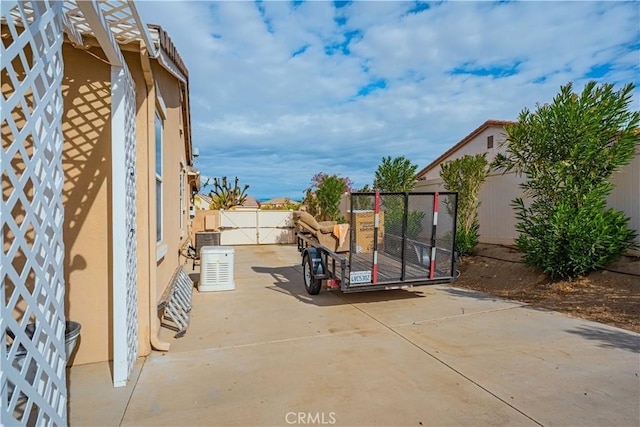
[[87, 165]]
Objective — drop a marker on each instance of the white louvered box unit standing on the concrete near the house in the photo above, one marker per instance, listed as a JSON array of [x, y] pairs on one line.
[[216, 269]]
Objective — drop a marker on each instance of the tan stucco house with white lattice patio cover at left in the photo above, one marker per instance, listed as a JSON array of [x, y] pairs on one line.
[[97, 177]]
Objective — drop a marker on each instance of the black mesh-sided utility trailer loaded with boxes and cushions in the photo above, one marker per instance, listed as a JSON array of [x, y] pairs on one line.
[[395, 241]]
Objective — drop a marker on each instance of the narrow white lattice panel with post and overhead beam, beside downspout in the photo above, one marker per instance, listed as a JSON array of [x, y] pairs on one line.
[[123, 131]]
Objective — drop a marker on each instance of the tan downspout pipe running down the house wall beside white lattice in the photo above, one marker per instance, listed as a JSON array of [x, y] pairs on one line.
[[154, 321]]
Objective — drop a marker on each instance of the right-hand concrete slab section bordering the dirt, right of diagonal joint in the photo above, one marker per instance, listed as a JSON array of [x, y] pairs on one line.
[[560, 371]]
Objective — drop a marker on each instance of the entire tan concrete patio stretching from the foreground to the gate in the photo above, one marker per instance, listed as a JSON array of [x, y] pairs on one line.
[[268, 354]]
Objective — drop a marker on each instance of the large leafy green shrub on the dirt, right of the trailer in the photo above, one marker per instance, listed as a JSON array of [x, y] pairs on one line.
[[567, 151]]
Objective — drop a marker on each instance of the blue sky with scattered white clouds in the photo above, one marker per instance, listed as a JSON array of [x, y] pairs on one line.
[[283, 90]]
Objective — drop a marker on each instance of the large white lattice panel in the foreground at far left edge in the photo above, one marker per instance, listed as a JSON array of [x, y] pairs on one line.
[[32, 324]]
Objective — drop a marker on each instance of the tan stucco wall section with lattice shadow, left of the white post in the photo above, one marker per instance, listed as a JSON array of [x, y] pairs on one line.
[[86, 162]]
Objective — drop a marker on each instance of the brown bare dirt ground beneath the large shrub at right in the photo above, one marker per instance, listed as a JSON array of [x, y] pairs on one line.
[[610, 296]]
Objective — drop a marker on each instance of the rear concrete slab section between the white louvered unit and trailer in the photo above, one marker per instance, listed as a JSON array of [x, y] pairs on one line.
[[268, 304]]
